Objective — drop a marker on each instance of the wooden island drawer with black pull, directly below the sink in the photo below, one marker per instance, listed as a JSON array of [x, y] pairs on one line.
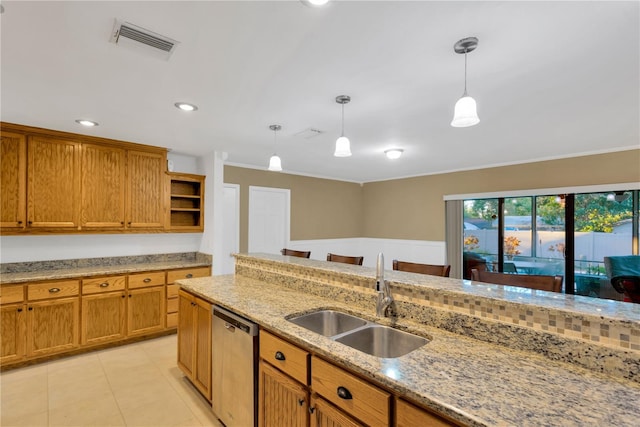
[[357, 397]]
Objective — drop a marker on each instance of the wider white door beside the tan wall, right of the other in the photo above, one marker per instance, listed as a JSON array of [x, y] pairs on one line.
[[268, 219]]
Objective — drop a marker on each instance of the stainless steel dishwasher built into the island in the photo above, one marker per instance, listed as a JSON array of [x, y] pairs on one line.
[[234, 369]]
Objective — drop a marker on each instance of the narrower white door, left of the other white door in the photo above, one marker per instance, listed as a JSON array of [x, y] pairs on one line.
[[231, 229]]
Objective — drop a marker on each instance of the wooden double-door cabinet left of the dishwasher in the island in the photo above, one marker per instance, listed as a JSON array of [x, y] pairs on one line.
[[194, 341]]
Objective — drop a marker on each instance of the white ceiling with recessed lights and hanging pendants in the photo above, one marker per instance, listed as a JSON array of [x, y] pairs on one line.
[[551, 79]]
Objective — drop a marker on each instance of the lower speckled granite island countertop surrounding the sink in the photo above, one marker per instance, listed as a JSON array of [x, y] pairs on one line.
[[471, 381]]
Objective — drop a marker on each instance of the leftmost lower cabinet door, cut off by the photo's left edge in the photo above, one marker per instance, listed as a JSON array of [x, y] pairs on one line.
[[12, 332]]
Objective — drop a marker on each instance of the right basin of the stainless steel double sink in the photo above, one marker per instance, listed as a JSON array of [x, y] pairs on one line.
[[382, 341]]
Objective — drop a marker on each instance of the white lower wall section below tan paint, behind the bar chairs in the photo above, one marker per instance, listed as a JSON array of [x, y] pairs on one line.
[[422, 251]]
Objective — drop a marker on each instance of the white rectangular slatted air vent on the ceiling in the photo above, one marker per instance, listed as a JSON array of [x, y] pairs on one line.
[[133, 36]]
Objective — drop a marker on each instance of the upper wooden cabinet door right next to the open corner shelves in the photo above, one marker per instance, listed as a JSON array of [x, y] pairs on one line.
[[145, 196]]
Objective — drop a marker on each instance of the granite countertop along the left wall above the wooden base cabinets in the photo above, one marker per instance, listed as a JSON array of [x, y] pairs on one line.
[[87, 271]]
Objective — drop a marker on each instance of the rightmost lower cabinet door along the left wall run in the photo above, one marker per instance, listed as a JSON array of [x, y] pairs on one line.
[[146, 312]]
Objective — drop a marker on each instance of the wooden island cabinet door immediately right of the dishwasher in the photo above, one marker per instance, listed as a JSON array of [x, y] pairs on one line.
[[282, 402]]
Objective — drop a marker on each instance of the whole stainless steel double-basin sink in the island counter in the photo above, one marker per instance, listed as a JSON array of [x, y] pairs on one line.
[[368, 337]]
